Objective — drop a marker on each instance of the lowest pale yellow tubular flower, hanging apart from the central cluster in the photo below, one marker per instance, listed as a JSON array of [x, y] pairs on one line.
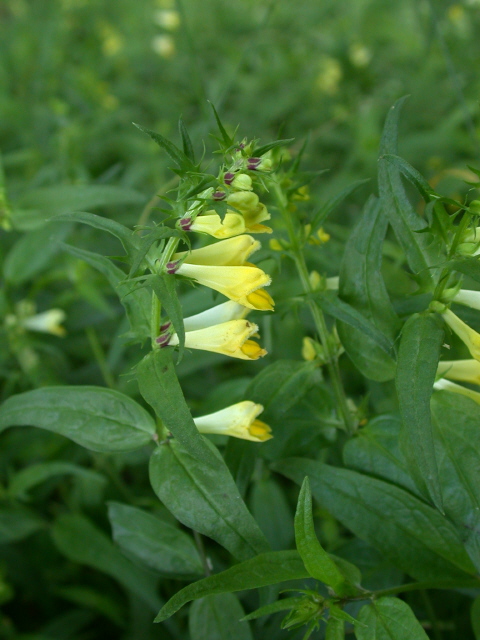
[[238, 420]]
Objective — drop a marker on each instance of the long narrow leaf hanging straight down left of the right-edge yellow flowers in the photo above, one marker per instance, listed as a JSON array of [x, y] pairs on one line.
[[418, 356]]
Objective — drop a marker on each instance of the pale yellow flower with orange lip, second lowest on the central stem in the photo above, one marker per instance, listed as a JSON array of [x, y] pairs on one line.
[[229, 338]]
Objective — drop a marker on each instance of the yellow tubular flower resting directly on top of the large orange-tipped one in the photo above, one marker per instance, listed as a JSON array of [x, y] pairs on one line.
[[231, 252]]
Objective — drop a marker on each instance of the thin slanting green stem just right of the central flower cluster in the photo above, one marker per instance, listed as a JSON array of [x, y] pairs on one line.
[[317, 313]]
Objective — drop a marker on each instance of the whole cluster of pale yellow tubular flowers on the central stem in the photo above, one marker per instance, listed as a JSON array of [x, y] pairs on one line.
[[224, 267]]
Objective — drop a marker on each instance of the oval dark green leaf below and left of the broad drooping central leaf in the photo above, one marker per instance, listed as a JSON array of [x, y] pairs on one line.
[[153, 542]]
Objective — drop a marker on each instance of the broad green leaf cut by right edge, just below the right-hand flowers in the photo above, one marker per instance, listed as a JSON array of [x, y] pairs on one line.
[[456, 422]]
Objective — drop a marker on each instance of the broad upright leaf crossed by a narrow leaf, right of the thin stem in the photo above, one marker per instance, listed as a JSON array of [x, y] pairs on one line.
[[363, 288]]
